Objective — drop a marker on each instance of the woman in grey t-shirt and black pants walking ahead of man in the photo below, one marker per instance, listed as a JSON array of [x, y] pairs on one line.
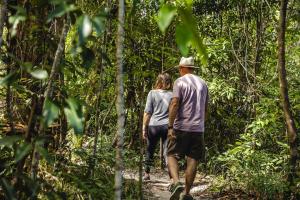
[[155, 122]]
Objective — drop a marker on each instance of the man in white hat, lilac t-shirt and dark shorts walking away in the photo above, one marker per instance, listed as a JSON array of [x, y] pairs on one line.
[[187, 112]]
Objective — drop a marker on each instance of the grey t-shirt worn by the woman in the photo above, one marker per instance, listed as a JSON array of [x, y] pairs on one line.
[[158, 106]]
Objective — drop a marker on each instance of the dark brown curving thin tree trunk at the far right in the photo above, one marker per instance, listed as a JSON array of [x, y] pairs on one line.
[[291, 128]]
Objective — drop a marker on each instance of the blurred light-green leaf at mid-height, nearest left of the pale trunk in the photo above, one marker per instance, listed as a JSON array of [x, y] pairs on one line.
[[74, 115]]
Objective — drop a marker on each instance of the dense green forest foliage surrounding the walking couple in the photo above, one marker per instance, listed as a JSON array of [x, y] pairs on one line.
[[236, 42]]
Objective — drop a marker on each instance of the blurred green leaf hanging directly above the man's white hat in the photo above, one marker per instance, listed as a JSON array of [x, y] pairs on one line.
[[183, 38]]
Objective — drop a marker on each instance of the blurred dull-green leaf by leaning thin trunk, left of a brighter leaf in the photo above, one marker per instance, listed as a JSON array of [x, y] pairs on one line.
[[50, 112]]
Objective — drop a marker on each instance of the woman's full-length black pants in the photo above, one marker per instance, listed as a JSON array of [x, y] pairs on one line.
[[154, 135]]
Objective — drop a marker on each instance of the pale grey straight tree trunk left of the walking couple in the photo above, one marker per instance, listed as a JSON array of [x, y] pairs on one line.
[[120, 102]]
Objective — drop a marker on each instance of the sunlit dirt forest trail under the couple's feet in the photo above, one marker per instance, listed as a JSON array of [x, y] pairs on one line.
[[157, 187]]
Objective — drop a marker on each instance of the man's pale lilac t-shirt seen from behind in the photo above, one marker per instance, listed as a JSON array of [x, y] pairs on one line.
[[192, 93]]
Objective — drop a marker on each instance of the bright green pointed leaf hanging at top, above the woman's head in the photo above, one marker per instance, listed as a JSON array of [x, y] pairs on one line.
[[165, 16]]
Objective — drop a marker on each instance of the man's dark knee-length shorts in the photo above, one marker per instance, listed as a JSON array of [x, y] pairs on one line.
[[189, 144]]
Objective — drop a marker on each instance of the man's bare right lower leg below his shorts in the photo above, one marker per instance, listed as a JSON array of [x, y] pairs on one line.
[[190, 173]]
